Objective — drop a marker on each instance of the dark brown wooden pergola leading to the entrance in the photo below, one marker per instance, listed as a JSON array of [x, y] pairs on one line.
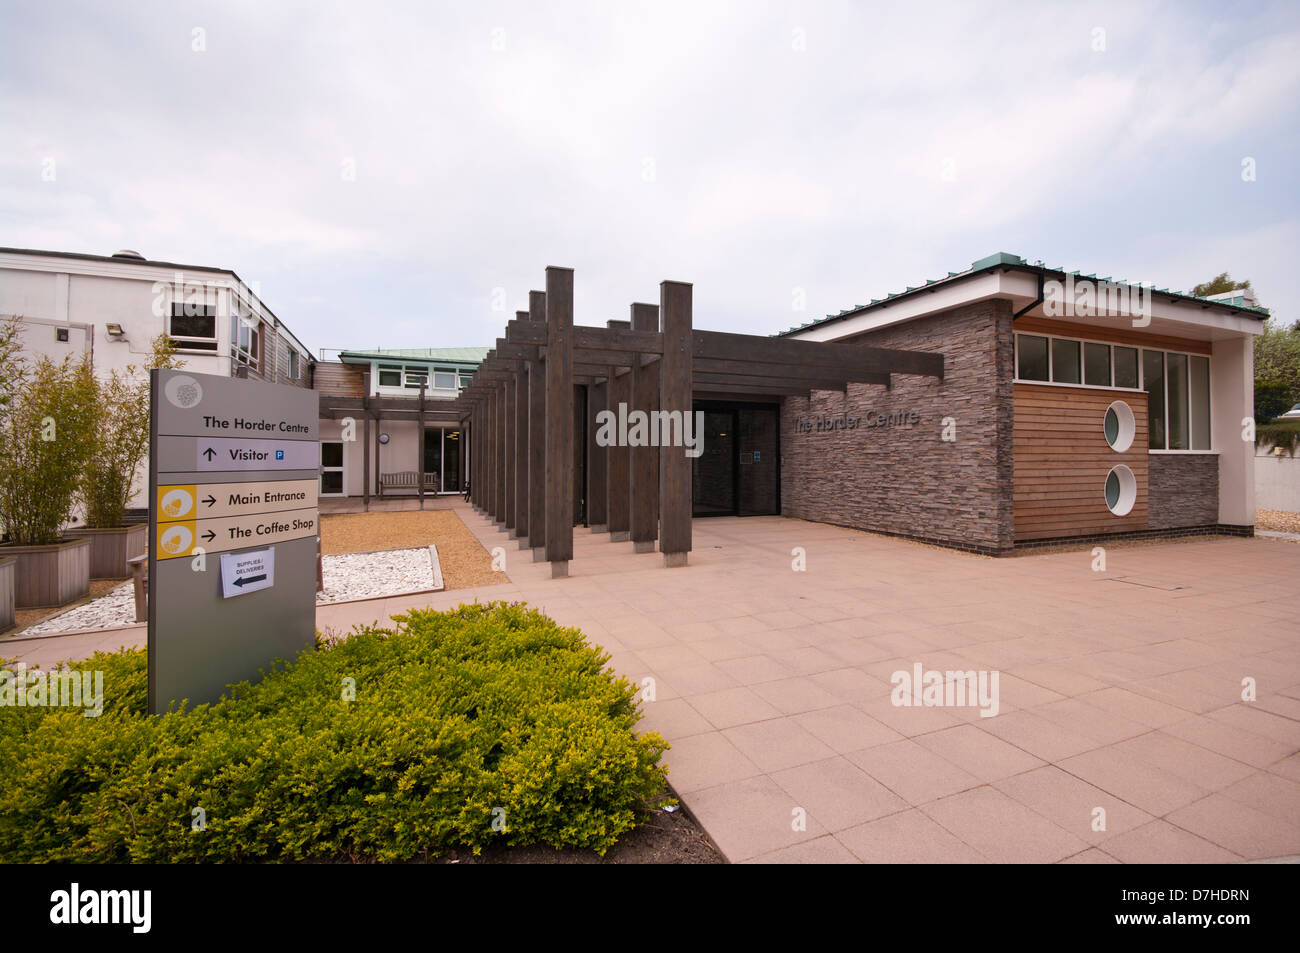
[[525, 414]]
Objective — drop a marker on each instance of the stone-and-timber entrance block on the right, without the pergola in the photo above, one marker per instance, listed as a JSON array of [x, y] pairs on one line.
[[1077, 408]]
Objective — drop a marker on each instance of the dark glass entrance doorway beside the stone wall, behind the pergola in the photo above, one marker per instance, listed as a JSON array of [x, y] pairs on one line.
[[739, 471]]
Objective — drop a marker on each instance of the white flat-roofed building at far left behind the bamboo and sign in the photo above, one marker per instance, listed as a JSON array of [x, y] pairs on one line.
[[111, 309]]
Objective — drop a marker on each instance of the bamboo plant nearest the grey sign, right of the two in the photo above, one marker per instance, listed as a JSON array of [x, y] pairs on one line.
[[123, 437]]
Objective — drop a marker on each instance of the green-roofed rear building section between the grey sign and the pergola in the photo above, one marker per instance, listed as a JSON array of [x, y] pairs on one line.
[[387, 427]]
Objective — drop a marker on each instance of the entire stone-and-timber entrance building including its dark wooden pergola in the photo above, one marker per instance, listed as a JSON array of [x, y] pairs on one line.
[[1002, 408]]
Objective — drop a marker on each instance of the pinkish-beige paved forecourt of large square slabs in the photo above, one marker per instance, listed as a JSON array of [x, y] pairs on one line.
[[1121, 690]]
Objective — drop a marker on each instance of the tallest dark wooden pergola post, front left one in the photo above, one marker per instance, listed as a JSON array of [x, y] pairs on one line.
[[560, 419]]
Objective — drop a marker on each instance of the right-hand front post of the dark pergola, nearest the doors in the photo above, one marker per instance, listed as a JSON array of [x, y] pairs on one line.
[[675, 396]]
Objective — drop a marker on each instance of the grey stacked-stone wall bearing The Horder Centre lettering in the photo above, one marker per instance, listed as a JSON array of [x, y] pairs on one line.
[[885, 466]]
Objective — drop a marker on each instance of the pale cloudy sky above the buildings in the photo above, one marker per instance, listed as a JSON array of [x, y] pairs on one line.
[[400, 175]]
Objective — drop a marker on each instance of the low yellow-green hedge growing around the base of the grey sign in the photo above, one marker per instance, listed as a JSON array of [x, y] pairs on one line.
[[462, 718]]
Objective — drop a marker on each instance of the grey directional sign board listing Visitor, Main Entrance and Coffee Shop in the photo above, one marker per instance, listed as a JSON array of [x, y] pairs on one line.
[[235, 474]]
